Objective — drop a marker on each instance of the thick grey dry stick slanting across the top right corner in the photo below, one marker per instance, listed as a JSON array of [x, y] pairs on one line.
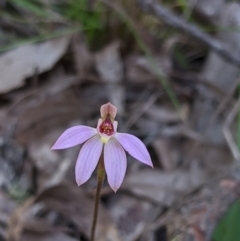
[[167, 16]]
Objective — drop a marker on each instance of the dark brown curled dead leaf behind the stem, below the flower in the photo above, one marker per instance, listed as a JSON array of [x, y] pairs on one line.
[[72, 202]]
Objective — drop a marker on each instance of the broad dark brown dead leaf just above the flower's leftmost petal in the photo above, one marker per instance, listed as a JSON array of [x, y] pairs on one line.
[[52, 114]]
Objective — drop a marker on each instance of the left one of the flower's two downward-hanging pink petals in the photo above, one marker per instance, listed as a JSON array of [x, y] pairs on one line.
[[87, 159]]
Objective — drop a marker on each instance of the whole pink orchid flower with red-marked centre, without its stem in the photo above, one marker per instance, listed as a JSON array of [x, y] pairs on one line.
[[103, 138]]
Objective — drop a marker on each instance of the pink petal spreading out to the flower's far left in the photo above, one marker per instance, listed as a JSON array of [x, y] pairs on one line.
[[74, 136]]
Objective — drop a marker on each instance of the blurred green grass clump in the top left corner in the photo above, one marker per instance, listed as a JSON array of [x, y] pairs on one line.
[[53, 20]]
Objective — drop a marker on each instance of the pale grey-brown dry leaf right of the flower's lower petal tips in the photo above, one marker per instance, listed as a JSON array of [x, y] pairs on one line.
[[164, 188]]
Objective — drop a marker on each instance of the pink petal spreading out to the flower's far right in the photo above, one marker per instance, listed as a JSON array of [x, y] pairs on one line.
[[134, 147]]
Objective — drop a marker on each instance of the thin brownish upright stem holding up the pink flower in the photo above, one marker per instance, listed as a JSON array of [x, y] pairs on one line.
[[100, 179]]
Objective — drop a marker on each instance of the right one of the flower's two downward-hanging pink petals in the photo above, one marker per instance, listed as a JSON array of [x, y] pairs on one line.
[[115, 163]]
